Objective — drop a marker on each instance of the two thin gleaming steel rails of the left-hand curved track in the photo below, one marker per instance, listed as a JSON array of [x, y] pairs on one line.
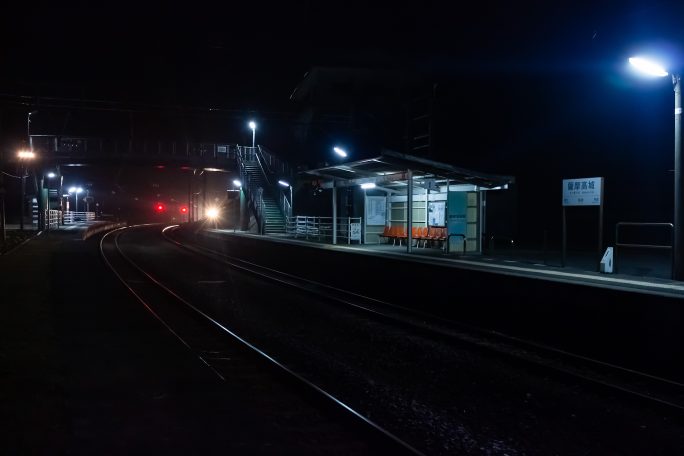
[[282, 368]]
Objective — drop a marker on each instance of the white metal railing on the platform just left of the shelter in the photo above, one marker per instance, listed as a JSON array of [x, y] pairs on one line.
[[321, 228]]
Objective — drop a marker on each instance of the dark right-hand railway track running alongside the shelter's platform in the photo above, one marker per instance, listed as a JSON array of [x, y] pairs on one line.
[[651, 390]]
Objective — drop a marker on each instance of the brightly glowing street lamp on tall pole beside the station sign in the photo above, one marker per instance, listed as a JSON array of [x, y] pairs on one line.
[[653, 69]]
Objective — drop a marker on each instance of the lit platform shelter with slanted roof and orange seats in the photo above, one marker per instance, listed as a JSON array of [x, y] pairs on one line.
[[447, 204]]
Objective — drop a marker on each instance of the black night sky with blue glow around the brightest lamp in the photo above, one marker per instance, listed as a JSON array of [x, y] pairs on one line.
[[540, 91]]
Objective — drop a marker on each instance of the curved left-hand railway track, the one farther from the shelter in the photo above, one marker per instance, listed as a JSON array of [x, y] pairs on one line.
[[227, 354]]
